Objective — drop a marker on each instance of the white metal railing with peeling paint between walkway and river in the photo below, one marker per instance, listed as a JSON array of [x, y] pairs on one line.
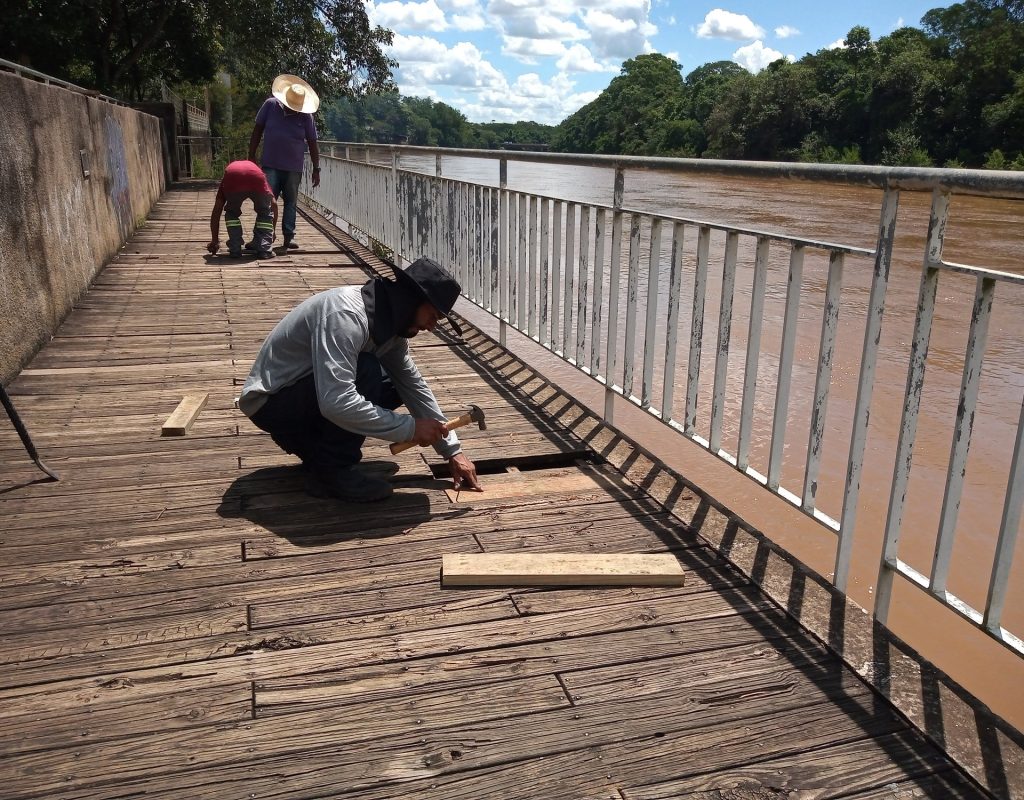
[[590, 282]]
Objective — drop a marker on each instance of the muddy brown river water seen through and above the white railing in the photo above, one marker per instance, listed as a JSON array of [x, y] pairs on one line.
[[983, 233]]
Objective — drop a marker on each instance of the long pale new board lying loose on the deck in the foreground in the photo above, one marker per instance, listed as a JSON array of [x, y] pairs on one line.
[[561, 570]]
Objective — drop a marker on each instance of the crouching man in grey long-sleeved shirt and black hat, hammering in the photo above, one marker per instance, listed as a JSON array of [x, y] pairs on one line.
[[335, 369]]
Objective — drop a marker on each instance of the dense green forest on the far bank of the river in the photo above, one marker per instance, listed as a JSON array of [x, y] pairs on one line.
[[949, 94]]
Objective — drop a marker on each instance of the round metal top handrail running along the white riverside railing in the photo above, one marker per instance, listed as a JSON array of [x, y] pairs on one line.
[[980, 183]]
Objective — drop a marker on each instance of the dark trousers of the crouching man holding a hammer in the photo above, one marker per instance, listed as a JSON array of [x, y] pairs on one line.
[[293, 419]]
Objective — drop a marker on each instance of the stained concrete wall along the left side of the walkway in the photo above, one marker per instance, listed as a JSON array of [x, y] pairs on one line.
[[59, 228]]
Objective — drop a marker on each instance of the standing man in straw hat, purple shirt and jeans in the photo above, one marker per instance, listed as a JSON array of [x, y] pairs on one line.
[[286, 124]]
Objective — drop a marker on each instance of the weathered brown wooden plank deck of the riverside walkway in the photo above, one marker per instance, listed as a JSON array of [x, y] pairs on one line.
[[182, 621]]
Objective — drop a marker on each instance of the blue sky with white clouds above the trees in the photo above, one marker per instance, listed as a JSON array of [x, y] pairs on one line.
[[505, 61]]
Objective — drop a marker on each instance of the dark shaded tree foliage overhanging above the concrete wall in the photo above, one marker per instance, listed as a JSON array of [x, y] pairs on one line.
[[129, 48]]
